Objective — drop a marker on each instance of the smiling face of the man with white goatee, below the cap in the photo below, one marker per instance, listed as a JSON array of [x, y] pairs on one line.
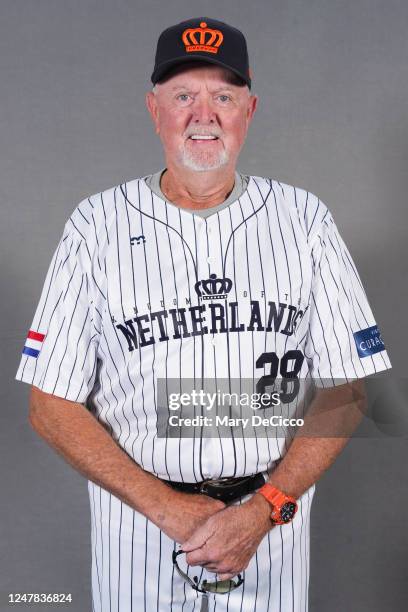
[[200, 102]]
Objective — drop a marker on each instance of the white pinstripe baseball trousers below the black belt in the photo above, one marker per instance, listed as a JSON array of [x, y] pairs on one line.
[[132, 568]]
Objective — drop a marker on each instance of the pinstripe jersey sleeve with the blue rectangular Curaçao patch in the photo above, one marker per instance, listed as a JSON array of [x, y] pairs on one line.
[[343, 341]]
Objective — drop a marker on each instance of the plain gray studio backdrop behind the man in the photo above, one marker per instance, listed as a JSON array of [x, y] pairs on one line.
[[333, 84]]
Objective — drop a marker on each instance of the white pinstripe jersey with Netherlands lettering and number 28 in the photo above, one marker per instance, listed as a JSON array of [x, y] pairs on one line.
[[139, 289]]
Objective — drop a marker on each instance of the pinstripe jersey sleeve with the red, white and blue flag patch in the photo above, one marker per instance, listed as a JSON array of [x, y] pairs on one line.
[[60, 351]]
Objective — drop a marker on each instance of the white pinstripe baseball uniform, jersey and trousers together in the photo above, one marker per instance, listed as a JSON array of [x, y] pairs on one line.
[[121, 308]]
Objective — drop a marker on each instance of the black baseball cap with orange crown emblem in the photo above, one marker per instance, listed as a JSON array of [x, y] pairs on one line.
[[205, 40]]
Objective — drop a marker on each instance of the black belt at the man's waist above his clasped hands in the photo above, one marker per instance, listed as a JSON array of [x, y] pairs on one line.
[[225, 489]]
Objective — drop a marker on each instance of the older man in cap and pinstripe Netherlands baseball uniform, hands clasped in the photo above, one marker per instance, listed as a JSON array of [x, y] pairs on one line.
[[199, 273]]
